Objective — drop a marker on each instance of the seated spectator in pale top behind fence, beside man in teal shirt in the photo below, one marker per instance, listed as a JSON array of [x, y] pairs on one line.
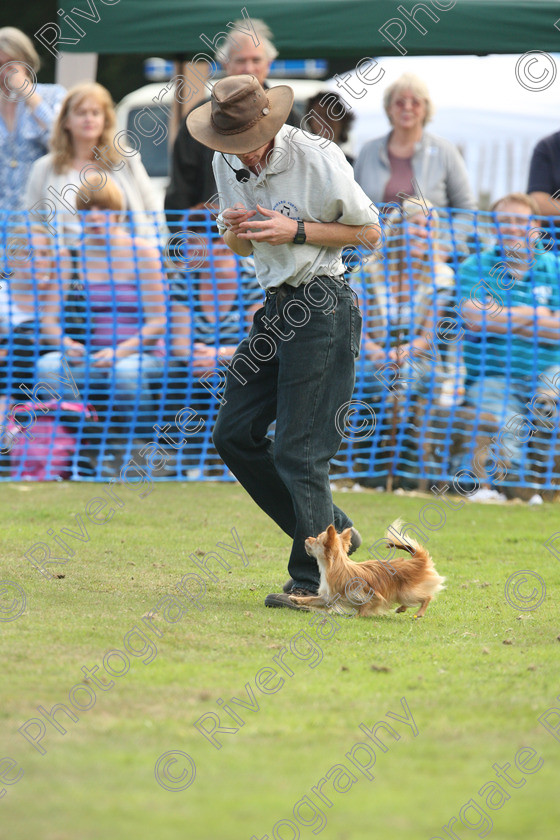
[[405, 295]]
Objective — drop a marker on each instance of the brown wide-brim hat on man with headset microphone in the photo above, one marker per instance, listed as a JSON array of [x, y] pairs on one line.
[[241, 116]]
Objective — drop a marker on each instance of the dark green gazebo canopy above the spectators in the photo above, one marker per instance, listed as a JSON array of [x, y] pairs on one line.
[[344, 31]]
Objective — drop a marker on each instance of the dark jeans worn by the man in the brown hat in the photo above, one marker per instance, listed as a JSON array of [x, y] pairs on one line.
[[301, 382]]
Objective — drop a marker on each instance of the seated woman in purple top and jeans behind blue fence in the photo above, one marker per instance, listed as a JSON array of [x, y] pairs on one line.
[[123, 296]]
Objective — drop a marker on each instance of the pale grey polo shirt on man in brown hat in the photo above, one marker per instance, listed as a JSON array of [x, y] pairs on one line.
[[305, 178]]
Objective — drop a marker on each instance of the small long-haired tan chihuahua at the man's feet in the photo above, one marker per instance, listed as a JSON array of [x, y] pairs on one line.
[[372, 586]]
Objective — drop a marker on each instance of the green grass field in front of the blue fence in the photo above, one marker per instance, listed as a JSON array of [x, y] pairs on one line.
[[476, 674]]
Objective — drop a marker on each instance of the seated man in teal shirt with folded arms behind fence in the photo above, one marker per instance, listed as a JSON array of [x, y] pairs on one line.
[[512, 322]]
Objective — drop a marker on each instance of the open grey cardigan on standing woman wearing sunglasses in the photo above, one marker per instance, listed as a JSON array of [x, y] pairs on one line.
[[437, 165]]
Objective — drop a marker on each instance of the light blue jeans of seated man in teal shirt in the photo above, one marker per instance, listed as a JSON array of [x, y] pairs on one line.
[[506, 399]]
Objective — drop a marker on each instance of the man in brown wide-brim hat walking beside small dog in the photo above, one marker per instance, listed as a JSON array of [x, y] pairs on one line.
[[289, 199]]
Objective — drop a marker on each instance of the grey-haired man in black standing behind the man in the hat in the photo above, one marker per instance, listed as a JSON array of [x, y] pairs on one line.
[[192, 181]]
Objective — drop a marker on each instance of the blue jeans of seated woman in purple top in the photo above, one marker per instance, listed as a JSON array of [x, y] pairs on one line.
[[122, 389]]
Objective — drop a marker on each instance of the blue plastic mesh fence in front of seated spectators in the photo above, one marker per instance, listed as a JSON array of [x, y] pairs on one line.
[[115, 339]]
